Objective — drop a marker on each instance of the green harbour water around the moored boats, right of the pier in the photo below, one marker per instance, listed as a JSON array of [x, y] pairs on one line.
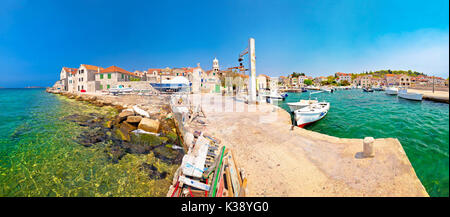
[[421, 127]]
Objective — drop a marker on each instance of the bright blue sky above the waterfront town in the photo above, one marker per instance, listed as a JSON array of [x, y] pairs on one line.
[[319, 38]]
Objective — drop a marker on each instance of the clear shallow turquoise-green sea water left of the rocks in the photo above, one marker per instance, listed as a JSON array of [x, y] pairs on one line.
[[40, 155]]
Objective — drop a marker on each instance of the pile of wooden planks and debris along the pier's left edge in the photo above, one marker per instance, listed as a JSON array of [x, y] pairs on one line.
[[209, 168]]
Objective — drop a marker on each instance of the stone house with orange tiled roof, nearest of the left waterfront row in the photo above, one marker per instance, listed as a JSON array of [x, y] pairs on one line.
[[111, 77]]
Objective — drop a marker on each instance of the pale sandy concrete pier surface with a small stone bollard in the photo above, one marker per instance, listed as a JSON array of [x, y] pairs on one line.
[[281, 160]]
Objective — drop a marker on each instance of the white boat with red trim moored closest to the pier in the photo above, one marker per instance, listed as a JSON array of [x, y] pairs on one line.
[[311, 113]]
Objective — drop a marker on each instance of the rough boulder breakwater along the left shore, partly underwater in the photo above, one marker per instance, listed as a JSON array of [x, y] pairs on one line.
[[138, 128]]
